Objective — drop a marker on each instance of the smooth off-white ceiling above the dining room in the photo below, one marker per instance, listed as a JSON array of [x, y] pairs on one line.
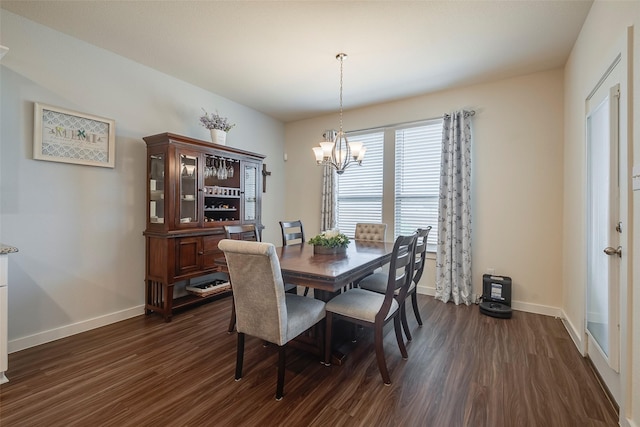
[[278, 57]]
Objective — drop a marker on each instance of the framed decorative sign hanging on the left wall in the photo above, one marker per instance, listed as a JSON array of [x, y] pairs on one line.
[[67, 136]]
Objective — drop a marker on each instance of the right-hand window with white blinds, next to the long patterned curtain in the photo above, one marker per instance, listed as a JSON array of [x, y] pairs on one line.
[[417, 179]]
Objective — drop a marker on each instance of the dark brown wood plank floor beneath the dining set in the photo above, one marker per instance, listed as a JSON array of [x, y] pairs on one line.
[[464, 369]]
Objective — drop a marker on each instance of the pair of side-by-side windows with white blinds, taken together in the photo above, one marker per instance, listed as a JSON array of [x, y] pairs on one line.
[[416, 174]]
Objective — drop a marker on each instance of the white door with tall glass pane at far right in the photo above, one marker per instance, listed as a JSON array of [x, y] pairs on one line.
[[603, 233]]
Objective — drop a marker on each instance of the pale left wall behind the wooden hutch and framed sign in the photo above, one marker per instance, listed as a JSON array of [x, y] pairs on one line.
[[79, 228]]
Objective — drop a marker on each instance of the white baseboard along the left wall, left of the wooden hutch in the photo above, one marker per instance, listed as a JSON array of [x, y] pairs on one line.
[[75, 328]]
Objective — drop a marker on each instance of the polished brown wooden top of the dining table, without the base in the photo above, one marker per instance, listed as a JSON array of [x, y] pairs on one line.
[[330, 273]]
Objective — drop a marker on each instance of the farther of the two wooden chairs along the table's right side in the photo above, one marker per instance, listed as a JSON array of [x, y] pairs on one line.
[[377, 282]]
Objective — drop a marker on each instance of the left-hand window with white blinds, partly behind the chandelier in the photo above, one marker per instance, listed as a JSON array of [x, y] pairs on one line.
[[360, 187]]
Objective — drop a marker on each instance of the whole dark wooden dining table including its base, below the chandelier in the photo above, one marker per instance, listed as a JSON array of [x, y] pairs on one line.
[[327, 275]]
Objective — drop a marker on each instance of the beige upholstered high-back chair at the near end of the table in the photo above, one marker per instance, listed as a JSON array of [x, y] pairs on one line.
[[263, 309]]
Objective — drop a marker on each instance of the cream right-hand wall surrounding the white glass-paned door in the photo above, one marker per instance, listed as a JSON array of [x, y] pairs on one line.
[[603, 36]]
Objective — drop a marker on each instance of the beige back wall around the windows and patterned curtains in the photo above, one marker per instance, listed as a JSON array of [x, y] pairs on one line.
[[517, 177]]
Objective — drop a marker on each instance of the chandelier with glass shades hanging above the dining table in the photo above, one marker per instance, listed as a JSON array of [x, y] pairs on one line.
[[335, 150]]
